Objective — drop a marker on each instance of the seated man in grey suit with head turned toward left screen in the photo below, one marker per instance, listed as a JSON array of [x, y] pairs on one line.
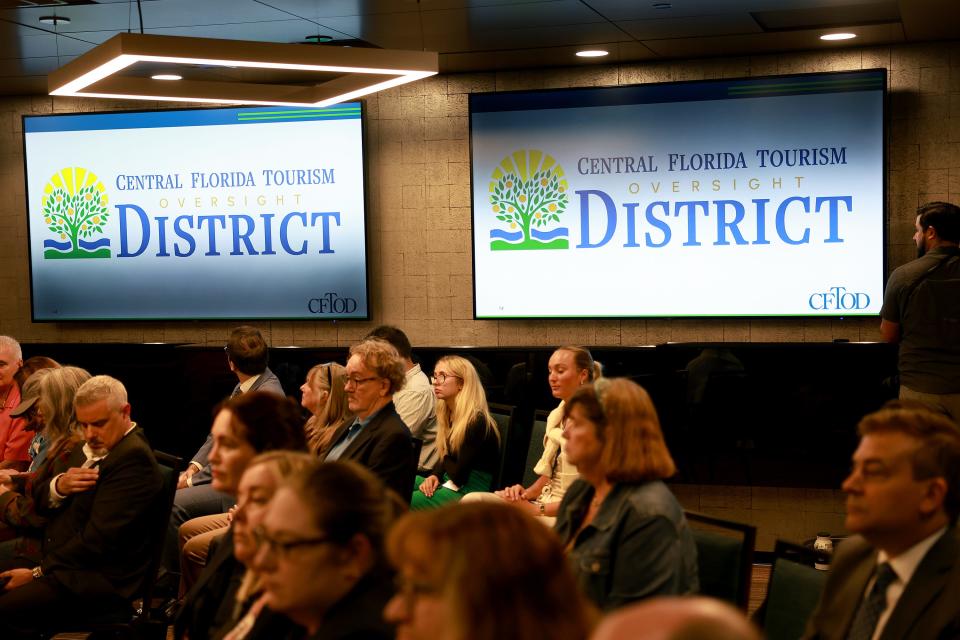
[[247, 357]]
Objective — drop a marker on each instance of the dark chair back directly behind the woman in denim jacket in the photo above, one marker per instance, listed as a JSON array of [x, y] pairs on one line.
[[724, 557]]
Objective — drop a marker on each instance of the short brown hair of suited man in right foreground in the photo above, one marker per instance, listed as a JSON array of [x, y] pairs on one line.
[[938, 453]]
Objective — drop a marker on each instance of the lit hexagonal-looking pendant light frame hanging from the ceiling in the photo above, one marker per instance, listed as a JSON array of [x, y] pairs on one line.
[[325, 75]]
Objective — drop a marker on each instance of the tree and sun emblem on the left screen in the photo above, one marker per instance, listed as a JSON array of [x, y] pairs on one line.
[[74, 207]]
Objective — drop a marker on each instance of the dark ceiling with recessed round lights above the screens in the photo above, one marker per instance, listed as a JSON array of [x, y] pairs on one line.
[[472, 35]]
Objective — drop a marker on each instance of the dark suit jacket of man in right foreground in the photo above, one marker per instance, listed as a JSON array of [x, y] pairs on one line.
[[928, 609]]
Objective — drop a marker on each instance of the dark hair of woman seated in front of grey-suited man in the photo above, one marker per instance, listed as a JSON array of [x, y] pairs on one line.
[[266, 421]]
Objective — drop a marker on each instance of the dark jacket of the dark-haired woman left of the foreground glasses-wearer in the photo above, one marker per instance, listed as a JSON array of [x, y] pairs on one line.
[[209, 605]]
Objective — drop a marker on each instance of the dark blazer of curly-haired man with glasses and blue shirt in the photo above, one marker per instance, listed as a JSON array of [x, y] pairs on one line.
[[384, 447]]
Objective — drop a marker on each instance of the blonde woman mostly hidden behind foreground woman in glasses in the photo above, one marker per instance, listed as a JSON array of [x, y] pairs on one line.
[[257, 485]]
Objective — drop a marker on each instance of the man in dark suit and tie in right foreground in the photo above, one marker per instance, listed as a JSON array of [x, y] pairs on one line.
[[899, 577]]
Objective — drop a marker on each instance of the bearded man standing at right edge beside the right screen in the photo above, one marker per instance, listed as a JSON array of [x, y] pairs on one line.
[[921, 312]]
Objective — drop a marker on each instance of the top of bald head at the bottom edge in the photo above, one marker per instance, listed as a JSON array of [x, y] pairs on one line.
[[676, 618]]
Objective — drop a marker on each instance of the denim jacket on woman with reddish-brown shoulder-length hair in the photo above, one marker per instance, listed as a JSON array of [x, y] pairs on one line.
[[638, 545]]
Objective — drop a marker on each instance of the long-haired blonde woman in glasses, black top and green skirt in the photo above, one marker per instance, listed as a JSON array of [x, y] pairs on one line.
[[468, 443]]
